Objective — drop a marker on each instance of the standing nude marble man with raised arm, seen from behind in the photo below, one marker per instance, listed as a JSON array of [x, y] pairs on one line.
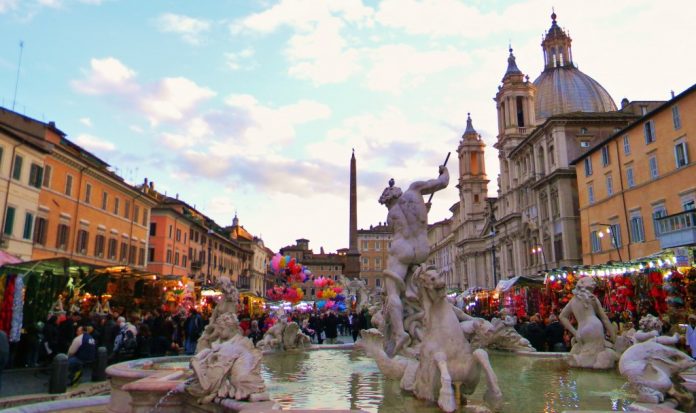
[[408, 215]]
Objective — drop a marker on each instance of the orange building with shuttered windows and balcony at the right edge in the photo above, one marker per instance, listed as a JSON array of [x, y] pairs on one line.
[[637, 188]]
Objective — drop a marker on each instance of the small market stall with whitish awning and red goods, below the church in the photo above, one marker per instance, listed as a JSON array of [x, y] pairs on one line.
[[522, 296]]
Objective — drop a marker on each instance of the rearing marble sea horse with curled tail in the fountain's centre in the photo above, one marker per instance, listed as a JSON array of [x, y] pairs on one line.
[[446, 367]]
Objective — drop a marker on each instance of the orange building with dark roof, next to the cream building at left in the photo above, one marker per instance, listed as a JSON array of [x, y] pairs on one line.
[[85, 211]]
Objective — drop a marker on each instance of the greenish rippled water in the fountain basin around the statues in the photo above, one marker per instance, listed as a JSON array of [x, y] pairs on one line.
[[350, 380]]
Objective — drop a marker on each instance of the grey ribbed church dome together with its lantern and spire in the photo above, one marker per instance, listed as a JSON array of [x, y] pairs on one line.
[[562, 87]]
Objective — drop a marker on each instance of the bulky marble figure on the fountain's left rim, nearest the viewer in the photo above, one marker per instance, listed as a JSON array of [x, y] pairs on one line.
[[227, 366]]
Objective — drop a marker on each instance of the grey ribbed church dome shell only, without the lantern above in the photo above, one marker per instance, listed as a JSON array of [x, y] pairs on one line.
[[567, 89]]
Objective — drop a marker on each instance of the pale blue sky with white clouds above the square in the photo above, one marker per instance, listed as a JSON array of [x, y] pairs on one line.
[[253, 107]]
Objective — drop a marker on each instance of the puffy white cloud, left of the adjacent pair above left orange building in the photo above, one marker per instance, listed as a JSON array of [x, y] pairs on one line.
[[106, 76]]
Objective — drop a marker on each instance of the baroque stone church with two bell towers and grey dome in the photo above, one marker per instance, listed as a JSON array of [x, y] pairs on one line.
[[533, 223]]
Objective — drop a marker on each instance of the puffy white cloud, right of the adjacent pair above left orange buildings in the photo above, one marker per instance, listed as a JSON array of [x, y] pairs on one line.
[[172, 98]]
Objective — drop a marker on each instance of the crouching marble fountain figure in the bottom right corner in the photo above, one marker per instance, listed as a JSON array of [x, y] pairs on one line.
[[652, 365]]
